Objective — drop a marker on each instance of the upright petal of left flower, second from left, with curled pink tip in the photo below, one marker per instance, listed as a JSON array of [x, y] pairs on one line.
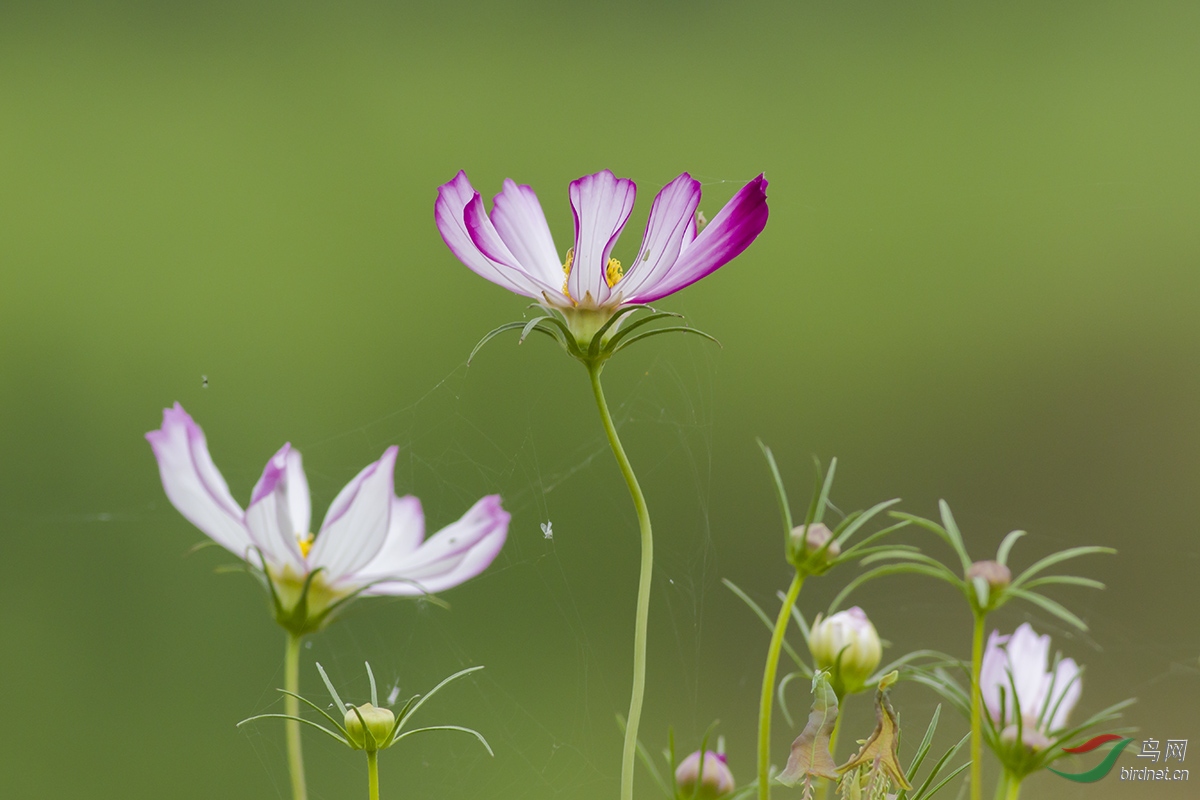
[[279, 510]]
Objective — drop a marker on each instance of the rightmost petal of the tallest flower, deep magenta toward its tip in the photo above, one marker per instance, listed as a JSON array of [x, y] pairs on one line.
[[730, 233]]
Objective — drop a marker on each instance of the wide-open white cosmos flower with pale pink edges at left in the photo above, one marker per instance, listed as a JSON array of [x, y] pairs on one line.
[[371, 542]]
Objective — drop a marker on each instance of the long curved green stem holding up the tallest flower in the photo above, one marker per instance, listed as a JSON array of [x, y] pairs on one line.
[[644, 591]]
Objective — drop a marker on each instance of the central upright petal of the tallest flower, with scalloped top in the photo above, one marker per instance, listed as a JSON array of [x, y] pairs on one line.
[[602, 204]]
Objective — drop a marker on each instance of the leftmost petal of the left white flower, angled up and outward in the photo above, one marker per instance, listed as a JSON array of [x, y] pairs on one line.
[[194, 484]]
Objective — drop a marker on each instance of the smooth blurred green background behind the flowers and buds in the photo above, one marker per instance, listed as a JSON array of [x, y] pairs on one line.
[[980, 282]]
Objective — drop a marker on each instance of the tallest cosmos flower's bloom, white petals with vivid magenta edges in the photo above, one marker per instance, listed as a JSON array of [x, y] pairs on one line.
[[513, 246]]
